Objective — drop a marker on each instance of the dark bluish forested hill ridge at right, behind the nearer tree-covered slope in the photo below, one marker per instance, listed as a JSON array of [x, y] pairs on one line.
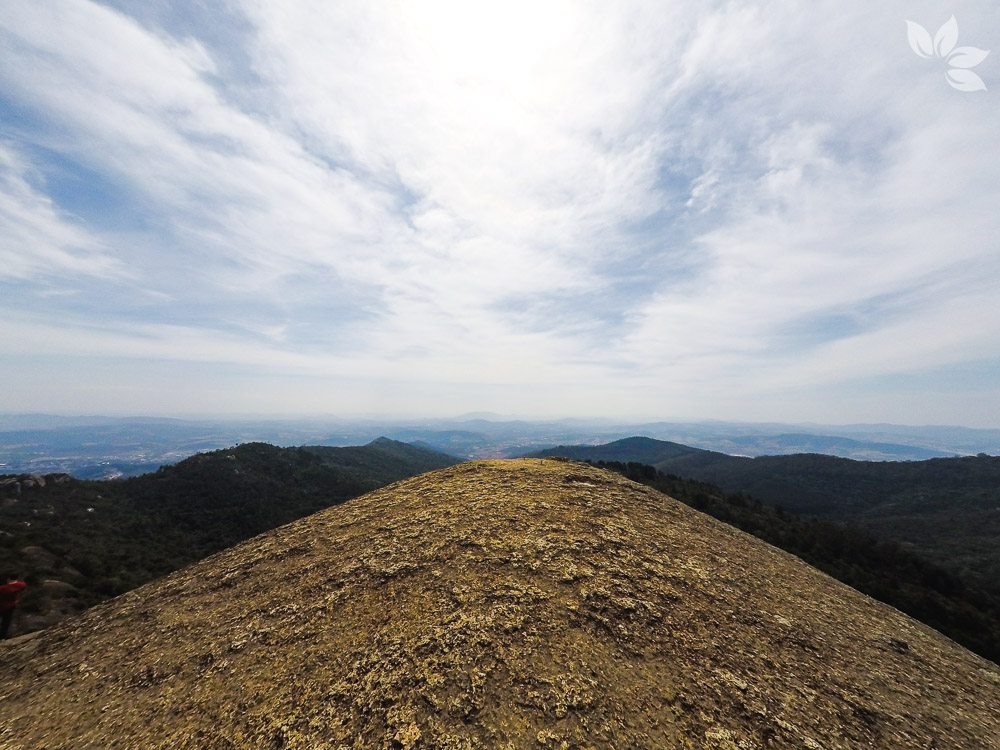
[[947, 508]]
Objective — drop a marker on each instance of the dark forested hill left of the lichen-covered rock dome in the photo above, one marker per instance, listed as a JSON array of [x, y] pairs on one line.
[[78, 541]]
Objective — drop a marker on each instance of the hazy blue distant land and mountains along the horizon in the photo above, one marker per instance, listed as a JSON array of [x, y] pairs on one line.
[[105, 447]]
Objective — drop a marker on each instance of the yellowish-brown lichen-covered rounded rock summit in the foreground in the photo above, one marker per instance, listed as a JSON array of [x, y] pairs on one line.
[[507, 604]]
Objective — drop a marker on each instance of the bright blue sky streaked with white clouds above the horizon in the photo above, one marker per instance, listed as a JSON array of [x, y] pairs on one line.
[[760, 211]]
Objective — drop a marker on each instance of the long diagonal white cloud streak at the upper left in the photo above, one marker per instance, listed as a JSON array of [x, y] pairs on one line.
[[142, 109]]
